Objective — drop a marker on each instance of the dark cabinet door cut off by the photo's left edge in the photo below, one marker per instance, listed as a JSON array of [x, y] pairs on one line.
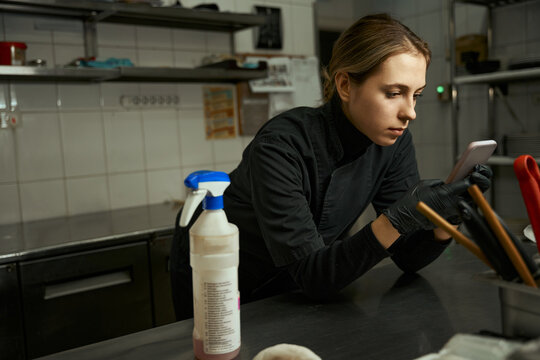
[[11, 328]]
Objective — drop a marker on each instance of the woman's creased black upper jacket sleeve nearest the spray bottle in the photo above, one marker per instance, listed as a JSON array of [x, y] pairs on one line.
[[279, 196]]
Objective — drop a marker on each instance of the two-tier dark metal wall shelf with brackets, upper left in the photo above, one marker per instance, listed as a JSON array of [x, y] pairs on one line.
[[93, 12]]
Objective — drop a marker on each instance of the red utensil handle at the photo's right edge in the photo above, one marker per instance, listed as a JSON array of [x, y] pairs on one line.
[[528, 176]]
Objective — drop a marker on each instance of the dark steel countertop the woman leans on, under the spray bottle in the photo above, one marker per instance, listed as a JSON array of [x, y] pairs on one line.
[[382, 315]]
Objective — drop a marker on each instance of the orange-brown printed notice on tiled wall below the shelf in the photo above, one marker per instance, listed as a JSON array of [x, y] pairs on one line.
[[219, 112]]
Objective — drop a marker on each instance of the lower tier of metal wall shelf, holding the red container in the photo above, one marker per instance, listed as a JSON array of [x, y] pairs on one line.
[[73, 74]]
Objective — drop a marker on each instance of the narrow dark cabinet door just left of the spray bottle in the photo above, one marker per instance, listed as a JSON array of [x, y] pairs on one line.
[[160, 249]]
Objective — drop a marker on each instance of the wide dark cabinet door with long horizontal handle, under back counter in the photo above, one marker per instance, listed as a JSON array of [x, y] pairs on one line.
[[81, 298]]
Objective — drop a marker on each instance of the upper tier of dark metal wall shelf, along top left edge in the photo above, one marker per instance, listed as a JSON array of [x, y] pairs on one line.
[[141, 14]]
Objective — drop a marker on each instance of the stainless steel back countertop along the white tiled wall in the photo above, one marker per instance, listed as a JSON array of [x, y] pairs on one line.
[[55, 236]]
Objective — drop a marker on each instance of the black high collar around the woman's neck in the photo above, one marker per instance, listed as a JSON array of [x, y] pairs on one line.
[[353, 142]]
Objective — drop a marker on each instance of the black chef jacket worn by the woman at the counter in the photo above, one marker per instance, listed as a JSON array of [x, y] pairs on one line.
[[302, 182]]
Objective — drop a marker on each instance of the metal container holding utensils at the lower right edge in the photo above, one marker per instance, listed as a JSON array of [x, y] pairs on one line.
[[520, 306]]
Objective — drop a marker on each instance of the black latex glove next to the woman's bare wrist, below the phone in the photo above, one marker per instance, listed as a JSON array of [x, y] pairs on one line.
[[441, 197]]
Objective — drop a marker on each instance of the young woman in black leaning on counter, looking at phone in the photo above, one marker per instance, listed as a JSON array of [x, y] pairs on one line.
[[310, 172]]
